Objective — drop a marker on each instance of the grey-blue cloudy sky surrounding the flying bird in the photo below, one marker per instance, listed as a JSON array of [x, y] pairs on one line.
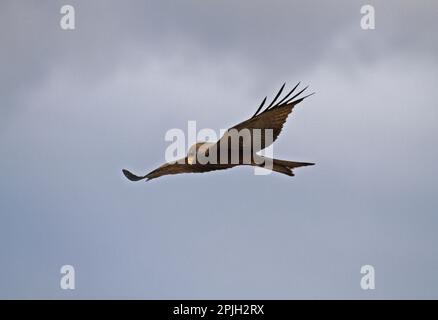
[[78, 106]]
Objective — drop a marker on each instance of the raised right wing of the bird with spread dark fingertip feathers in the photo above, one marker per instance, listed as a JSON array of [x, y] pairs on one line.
[[272, 117]]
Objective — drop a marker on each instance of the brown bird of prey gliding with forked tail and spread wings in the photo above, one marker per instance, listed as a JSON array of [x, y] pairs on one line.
[[271, 118]]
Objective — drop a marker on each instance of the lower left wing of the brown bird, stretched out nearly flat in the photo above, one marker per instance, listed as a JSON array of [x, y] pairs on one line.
[[176, 168]]
